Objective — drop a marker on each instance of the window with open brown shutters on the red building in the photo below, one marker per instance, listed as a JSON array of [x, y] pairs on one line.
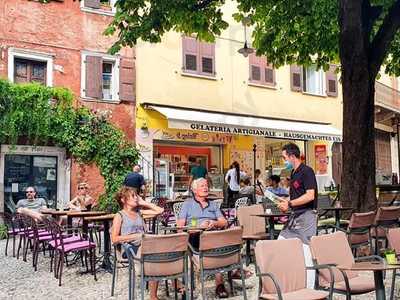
[[107, 78]]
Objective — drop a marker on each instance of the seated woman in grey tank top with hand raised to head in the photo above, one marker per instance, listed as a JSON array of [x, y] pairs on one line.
[[128, 224]]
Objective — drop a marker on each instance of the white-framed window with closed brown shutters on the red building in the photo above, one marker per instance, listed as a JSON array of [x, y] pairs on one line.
[[28, 66]]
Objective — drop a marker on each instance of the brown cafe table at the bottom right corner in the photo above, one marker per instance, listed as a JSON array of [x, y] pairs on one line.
[[377, 268]]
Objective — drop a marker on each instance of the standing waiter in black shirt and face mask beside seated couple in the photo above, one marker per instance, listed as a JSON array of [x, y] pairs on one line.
[[303, 194]]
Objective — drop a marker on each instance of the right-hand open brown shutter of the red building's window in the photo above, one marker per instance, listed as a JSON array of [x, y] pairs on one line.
[[127, 79]]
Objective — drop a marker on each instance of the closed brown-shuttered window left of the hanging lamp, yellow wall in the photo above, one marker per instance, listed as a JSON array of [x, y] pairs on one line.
[[198, 57]]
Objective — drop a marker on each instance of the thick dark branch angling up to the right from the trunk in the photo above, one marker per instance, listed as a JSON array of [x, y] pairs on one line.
[[385, 35]]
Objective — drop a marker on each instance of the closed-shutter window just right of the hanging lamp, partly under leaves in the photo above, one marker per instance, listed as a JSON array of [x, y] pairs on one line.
[[261, 72]]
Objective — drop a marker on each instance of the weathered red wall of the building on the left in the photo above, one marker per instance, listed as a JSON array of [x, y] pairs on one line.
[[63, 30]]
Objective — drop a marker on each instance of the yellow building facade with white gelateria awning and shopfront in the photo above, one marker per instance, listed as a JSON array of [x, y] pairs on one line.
[[221, 116]]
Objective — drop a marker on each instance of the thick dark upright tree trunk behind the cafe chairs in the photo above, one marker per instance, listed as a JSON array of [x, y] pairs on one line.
[[358, 81]]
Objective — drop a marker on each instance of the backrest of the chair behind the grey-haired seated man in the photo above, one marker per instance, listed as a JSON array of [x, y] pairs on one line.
[[220, 248]]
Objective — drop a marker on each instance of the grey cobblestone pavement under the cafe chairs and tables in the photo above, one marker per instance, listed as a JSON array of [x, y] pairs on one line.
[[19, 281]]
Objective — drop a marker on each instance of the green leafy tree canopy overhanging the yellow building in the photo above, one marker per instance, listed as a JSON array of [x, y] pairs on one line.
[[286, 31]]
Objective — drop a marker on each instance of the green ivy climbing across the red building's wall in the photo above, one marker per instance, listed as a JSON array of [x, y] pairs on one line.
[[40, 115]]
